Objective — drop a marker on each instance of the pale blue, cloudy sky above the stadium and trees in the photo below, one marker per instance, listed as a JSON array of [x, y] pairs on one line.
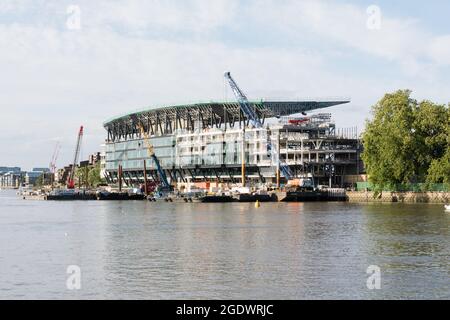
[[69, 63]]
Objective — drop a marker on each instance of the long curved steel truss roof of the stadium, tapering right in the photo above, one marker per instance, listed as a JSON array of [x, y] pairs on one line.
[[166, 120]]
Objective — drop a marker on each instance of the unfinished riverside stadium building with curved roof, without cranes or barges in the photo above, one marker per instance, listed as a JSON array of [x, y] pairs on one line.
[[220, 143]]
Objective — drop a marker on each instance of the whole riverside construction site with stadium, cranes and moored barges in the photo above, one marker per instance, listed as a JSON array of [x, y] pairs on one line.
[[229, 150]]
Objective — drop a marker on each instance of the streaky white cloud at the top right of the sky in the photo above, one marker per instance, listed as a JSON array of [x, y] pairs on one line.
[[346, 24]]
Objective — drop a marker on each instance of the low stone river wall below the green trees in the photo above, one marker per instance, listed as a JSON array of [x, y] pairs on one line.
[[407, 197]]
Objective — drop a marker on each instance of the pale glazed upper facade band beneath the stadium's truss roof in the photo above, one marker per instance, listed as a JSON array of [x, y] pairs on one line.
[[206, 148]]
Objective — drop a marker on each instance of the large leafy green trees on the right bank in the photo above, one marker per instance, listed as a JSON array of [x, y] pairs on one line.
[[407, 141]]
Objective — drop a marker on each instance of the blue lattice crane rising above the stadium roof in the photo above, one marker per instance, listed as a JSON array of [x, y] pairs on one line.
[[251, 114]]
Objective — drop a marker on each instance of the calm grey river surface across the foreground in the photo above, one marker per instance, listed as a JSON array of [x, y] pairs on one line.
[[140, 250]]
